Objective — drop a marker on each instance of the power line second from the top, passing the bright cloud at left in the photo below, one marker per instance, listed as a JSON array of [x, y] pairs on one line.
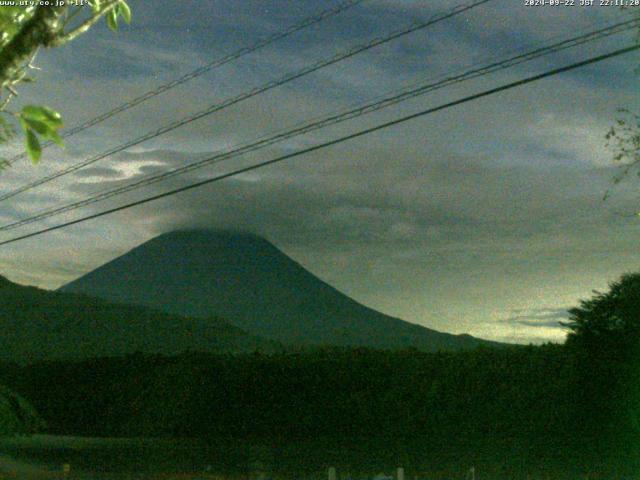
[[246, 95]]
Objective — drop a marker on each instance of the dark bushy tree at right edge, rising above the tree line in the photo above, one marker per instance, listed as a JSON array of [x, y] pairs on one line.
[[605, 335]]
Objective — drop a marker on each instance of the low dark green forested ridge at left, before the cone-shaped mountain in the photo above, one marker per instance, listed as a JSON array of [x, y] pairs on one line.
[[42, 325]]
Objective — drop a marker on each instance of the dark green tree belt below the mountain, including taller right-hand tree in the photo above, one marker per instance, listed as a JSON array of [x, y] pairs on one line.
[[558, 410]]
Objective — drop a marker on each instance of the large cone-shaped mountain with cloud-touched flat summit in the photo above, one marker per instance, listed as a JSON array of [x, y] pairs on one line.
[[245, 279]]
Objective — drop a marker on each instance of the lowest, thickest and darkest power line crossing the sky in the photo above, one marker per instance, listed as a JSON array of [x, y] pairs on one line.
[[336, 141]]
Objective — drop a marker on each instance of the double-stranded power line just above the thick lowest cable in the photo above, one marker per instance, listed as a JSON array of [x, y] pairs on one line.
[[334, 119]]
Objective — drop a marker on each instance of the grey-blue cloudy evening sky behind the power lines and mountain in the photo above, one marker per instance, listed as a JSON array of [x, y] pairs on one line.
[[485, 218]]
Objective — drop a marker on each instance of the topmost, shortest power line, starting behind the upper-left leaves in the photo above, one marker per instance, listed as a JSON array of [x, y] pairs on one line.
[[307, 22]]
